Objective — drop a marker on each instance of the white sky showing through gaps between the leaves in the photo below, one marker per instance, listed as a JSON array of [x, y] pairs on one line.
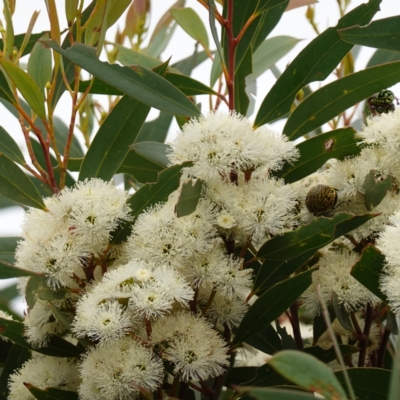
[[293, 24]]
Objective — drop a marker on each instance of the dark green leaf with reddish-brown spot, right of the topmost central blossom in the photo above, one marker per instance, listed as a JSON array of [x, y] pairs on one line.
[[314, 152]]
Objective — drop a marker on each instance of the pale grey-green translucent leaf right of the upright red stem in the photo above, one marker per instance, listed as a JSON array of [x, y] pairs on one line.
[[270, 52]]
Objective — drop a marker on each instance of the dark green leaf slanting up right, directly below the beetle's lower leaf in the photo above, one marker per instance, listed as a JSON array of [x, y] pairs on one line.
[[273, 303]]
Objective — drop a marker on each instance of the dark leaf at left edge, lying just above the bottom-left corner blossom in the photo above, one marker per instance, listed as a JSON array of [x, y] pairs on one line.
[[56, 346]]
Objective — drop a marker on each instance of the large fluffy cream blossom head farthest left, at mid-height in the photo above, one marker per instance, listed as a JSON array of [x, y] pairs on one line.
[[76, 226]]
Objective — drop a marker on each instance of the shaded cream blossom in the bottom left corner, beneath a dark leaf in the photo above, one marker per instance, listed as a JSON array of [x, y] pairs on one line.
[[43, 372]]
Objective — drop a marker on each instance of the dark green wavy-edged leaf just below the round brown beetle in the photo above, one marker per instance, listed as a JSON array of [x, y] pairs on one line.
[[318, 233]]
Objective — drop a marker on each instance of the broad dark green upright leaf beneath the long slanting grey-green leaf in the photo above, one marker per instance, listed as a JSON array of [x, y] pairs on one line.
[[110, 145]]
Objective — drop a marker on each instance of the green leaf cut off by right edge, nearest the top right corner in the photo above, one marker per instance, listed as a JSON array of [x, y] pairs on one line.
[[383, 34]]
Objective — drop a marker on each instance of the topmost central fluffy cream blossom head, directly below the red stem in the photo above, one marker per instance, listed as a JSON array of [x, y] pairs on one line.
[[220, 143]]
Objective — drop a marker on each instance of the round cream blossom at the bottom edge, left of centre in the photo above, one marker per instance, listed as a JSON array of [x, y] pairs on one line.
[[118, 370]]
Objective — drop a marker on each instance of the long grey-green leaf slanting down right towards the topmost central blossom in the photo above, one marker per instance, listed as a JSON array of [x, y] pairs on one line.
[[137, 82]]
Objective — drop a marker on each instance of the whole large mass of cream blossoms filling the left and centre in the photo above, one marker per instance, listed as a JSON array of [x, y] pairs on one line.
[[171, 290]]
